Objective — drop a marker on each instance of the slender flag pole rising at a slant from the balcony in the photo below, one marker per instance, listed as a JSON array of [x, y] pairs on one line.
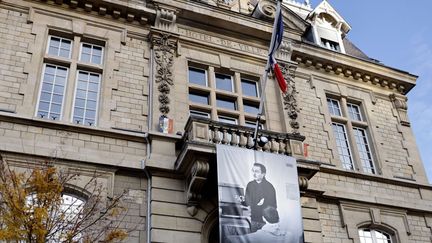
[[265, 76]]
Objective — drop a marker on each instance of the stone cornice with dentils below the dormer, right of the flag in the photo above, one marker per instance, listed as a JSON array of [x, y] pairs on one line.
[[353, 68]]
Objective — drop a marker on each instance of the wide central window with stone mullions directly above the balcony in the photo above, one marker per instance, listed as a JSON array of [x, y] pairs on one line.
[[222, 95]]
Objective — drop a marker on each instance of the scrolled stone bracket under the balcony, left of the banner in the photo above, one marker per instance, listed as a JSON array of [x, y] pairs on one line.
[[197, 179]]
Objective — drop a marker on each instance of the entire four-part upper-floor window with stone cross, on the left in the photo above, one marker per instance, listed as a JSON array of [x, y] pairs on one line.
[[56, 80]]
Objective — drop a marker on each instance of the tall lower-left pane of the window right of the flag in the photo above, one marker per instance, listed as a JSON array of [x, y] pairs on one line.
[[343, 146]]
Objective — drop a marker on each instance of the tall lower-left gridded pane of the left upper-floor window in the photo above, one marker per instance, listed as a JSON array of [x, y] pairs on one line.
[[52, 92]]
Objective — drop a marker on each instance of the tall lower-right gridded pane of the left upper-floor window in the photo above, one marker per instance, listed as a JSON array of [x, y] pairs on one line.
[[85, 105]]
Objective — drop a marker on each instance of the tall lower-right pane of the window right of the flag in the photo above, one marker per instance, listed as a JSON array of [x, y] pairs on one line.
[[364, 150]]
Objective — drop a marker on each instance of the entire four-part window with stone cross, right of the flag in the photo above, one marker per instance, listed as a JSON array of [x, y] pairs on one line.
[[351, 135]]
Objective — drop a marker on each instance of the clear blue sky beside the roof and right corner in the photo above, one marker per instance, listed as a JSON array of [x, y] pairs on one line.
[[399, 34]]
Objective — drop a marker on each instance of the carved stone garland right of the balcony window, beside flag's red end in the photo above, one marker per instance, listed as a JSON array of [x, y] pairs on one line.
[[290, 97]]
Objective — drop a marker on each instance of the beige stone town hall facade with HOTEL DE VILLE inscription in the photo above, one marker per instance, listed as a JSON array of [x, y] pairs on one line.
[[88, 81]]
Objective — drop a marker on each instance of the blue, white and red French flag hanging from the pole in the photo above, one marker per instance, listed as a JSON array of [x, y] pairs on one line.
[[275, 43]]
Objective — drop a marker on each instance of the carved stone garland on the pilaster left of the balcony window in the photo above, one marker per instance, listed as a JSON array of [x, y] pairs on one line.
[[164, 50]]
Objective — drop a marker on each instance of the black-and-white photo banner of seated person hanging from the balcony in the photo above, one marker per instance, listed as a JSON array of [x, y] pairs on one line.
[[259, 197]]
